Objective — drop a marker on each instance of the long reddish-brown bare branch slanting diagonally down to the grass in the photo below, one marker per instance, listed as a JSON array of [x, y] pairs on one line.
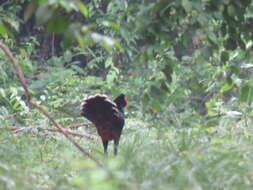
[[23, 82]]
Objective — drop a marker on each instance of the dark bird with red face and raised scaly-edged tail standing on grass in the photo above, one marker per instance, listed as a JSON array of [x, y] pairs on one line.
[[107, 116]]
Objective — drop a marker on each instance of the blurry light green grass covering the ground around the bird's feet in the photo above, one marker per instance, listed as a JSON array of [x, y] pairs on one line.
[[149, 158]]
